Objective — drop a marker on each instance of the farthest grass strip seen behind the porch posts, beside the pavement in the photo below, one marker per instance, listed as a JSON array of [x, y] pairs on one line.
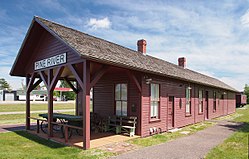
[[34, 107]]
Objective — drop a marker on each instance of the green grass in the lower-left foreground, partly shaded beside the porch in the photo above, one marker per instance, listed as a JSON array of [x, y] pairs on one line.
[[21, 145]]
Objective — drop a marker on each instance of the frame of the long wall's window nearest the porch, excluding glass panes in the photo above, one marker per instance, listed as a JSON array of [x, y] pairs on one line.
[[157, 116]]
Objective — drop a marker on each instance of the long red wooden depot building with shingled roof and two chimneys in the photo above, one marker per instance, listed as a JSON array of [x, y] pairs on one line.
[[125, 82]]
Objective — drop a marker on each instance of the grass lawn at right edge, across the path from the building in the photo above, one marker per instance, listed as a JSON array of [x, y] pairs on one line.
[[236, 146]]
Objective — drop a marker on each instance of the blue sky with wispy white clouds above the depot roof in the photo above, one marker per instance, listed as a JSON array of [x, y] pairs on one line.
[[212, 35]]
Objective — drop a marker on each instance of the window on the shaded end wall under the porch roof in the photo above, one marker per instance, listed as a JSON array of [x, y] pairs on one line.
[[121, 99]]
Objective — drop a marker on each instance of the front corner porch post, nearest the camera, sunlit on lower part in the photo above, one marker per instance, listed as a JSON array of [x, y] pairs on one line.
[[86, 105]]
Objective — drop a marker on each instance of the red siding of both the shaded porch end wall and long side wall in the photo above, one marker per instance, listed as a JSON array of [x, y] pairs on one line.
[[105, 106]]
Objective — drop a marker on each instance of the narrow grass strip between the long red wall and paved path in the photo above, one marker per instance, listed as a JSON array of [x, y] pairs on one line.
[[165, 137]]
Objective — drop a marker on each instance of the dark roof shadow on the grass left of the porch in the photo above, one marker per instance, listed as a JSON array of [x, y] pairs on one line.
[[39, 140]]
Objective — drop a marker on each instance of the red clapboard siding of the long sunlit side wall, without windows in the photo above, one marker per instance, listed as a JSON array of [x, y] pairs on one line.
[[176, 88]]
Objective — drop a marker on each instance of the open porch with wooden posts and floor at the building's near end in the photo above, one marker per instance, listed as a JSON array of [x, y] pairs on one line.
[[103, 80]]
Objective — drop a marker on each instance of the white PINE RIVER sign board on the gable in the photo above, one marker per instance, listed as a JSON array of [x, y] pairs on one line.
[[51, 61]]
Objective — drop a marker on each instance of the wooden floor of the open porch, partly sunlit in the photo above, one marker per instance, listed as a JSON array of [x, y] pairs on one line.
[[97, 139]]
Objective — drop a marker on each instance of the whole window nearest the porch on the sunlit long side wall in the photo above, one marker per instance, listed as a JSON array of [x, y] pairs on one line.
[[154, 100]]
